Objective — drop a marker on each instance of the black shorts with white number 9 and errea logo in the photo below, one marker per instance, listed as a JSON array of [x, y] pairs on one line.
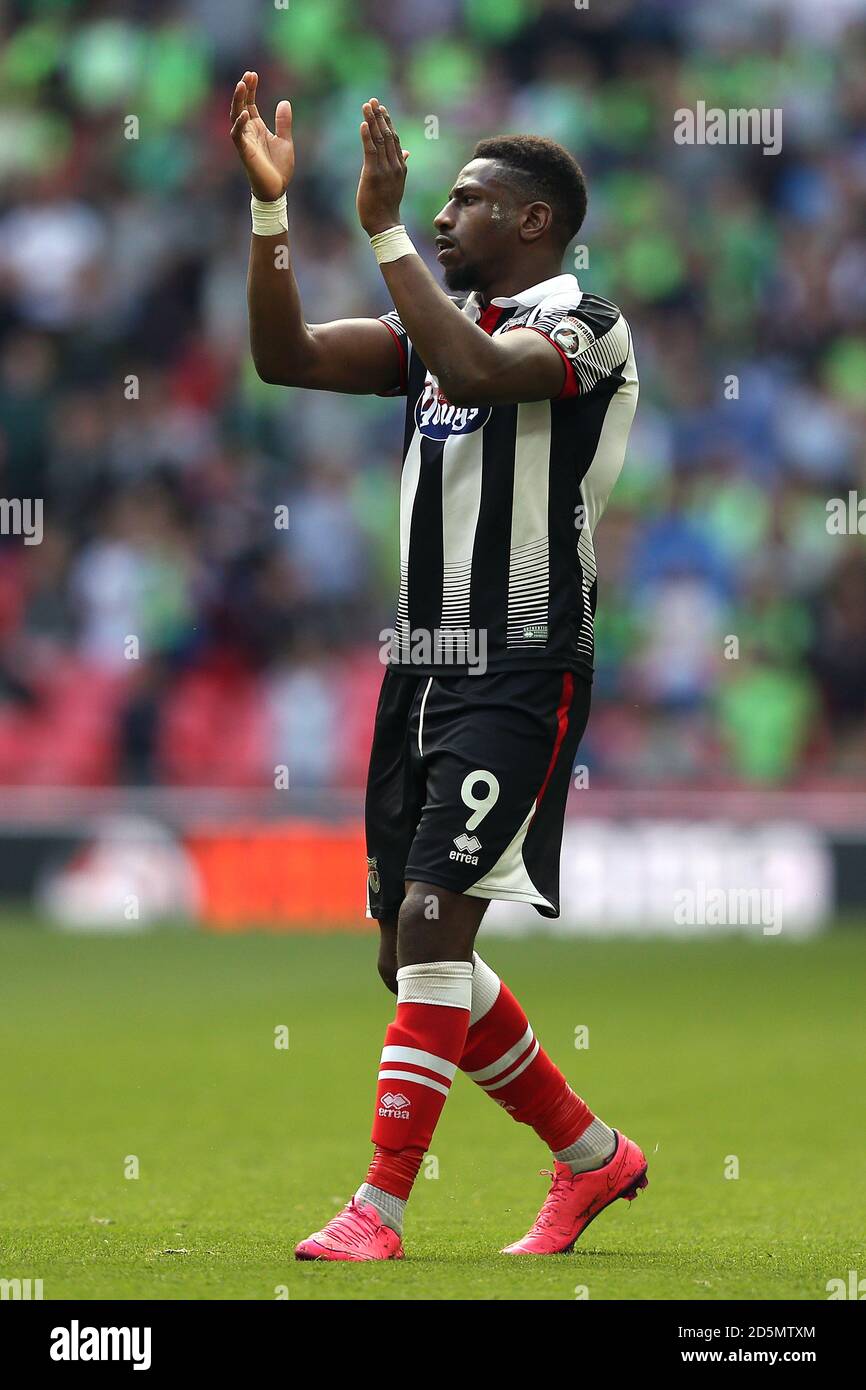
[[468, 785]]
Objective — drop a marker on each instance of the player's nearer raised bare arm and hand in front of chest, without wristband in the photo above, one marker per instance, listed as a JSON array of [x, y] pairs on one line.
[[472, 368]]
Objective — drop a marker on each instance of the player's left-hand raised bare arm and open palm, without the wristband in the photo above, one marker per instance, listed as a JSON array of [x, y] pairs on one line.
[[354, 355]]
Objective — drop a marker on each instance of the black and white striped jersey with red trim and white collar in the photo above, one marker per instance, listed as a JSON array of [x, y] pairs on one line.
[[500, 504]]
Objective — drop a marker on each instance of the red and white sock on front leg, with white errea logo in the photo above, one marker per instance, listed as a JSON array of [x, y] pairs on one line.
[[423, 1049]]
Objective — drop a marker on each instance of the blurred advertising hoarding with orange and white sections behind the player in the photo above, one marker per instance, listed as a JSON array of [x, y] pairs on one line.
[[630, 864]]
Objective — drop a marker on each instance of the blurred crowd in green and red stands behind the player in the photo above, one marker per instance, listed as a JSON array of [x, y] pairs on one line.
[[172, 629]]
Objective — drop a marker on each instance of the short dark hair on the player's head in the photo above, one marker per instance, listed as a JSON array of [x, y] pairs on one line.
[[541, 169]]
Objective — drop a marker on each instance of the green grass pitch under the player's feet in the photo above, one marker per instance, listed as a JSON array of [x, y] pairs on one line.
[[162, 1047]]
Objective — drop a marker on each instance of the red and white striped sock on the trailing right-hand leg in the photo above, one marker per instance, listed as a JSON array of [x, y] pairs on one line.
[[505, 1060]]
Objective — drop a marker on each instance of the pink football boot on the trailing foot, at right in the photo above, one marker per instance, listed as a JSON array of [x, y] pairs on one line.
[[576, 1199]]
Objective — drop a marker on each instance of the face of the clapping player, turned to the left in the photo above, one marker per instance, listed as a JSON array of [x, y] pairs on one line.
[[476, 227]]
